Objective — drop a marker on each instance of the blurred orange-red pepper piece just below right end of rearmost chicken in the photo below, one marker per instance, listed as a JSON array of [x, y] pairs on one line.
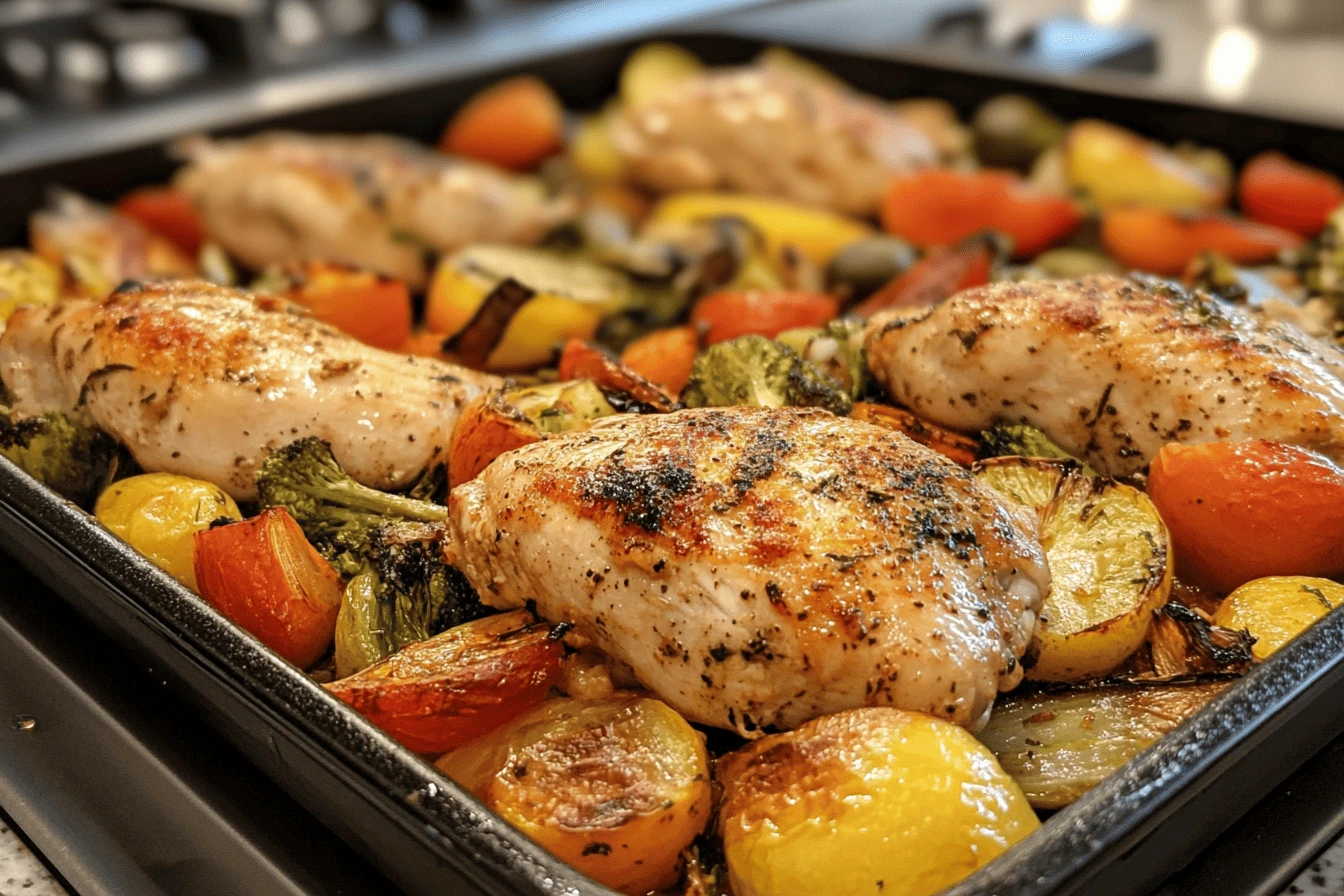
[[941, 208]]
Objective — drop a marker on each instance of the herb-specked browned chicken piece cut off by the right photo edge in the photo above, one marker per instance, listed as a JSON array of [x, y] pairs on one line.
[[1112, 369]]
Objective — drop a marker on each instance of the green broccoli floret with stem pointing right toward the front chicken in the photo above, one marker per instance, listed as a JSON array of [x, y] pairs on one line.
[[337, 514]]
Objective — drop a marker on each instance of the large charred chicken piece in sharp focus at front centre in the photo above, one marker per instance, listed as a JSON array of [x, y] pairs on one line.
[[760, 568]]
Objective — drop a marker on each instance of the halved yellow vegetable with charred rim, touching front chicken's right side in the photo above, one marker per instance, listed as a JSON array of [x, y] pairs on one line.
[[1111, 565]]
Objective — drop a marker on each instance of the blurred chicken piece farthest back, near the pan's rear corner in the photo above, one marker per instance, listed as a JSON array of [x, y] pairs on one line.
[[764, 132]]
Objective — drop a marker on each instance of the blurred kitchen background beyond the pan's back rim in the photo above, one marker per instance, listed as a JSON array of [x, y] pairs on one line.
[[89, 69]]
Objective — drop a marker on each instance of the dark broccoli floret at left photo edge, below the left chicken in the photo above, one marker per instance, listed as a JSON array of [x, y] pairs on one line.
[[68, 456]]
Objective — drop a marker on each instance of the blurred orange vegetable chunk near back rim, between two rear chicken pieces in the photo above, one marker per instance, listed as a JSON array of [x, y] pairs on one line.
[[515, 124]]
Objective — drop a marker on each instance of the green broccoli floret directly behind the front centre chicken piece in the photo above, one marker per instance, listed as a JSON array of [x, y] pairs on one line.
[[760, 373]]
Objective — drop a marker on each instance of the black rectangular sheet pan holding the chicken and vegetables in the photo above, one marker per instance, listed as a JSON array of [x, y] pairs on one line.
[[1123, 839]]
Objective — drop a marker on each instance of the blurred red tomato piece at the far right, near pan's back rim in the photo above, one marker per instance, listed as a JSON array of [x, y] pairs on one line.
[[1279, 191]]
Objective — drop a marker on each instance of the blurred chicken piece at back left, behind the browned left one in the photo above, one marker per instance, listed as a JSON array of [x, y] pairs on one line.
[[374, 202]]
